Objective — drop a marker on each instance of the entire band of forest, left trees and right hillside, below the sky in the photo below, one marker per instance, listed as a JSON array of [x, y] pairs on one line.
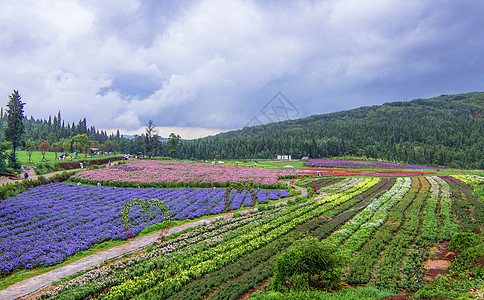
[[441, 131]]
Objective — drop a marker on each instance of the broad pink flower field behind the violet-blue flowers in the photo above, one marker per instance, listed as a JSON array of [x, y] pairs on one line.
[[182, 174]]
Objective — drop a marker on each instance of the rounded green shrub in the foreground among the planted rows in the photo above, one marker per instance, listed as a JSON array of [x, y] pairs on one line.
[[307, 265]]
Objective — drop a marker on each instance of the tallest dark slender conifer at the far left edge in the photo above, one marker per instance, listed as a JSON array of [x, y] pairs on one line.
[[15, 126]]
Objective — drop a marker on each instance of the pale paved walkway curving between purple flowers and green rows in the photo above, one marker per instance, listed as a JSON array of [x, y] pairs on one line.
[[27, 287]]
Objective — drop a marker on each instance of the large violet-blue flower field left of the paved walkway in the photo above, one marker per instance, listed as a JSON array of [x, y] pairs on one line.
[[43, 225]]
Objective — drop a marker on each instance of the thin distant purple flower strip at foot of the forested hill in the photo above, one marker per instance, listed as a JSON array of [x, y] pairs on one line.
[[360, 164]]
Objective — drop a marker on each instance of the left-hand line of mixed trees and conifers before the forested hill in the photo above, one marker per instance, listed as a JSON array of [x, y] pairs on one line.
[[17, 132]]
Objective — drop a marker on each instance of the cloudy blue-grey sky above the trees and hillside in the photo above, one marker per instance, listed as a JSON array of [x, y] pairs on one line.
[[198, 68]]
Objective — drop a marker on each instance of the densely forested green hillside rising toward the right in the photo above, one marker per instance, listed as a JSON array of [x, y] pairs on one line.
[[445, 131]]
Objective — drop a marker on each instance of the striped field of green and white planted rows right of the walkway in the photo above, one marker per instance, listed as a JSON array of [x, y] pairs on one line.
[[385, 226]]
